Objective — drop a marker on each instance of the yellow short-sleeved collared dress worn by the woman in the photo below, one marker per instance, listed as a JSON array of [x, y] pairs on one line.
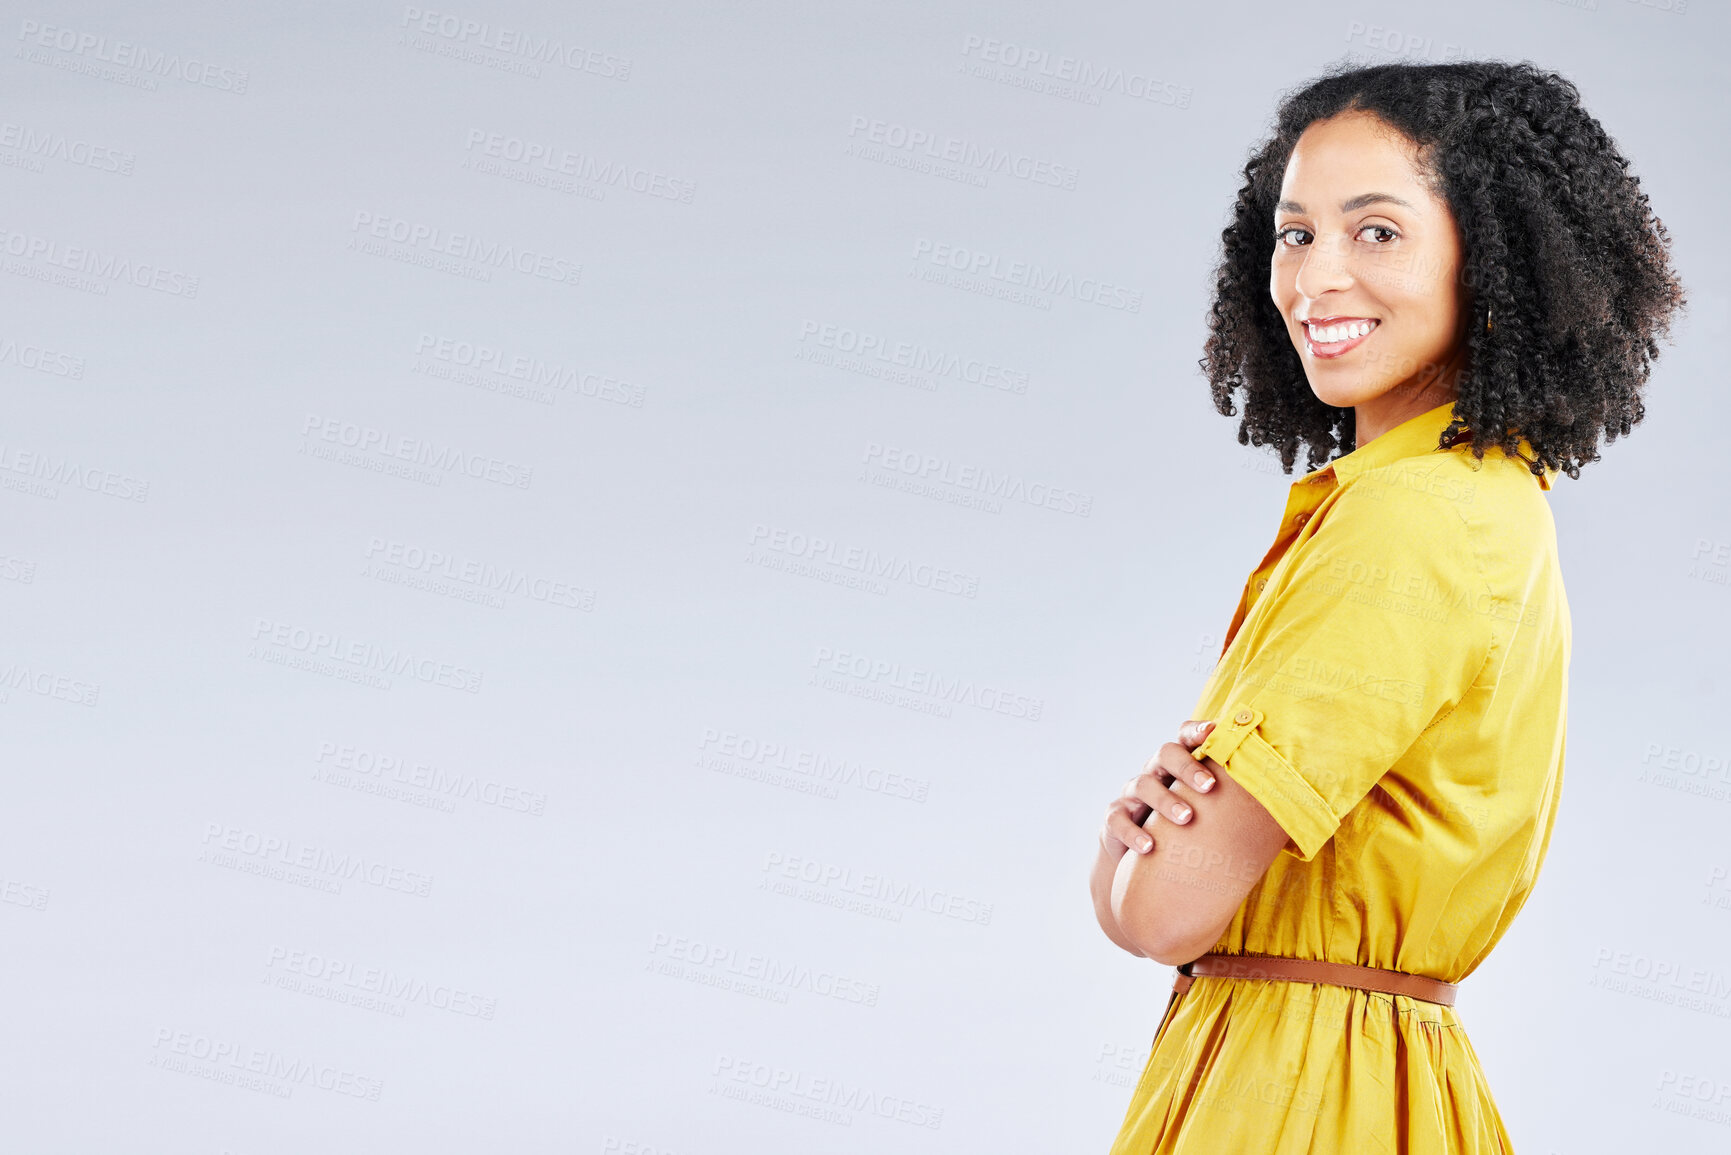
[[1394, 692]]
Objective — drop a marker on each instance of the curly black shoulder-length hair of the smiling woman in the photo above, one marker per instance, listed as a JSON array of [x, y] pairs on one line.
[[1560, 248]]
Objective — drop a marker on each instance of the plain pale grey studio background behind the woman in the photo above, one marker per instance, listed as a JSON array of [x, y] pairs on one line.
[[581, 579]]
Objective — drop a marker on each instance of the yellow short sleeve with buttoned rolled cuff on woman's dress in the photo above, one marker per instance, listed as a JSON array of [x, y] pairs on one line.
[[1368, 633]]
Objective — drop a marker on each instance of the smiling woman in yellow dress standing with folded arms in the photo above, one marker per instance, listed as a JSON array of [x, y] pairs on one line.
[[1448, 273]]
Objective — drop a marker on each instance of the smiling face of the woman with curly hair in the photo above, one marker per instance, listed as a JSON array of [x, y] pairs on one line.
[[1367, 273]]
